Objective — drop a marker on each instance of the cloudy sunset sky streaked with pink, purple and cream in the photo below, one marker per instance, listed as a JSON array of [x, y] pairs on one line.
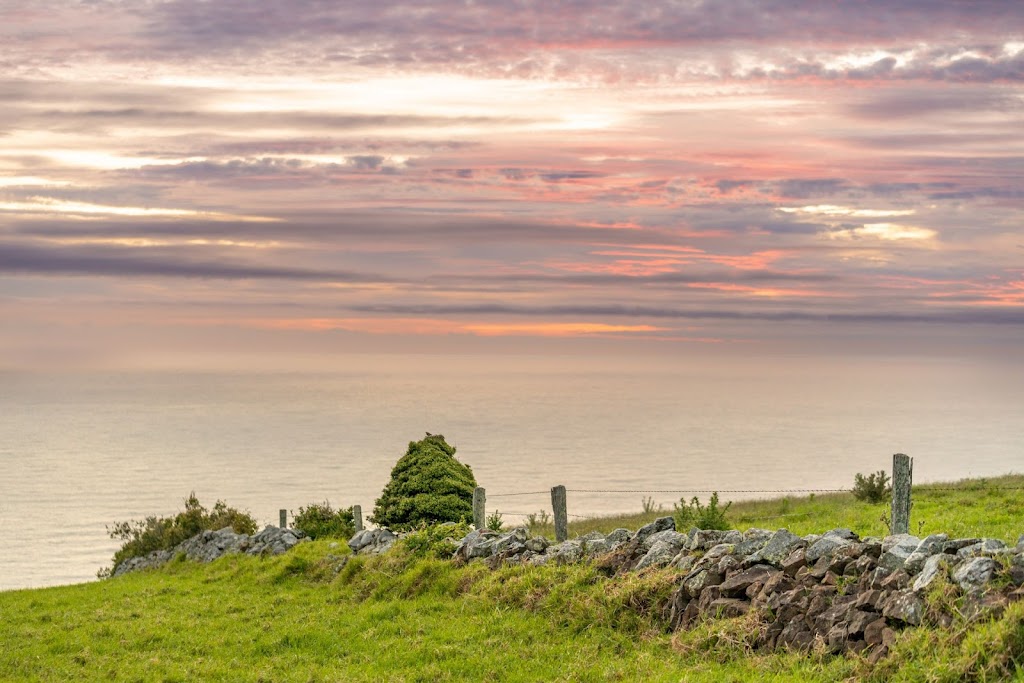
[[191, 182]]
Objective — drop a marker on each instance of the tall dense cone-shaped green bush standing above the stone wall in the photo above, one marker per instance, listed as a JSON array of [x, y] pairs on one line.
[[428, 486]]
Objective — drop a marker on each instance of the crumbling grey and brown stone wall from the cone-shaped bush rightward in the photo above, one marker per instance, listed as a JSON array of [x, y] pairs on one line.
[[838, 590]]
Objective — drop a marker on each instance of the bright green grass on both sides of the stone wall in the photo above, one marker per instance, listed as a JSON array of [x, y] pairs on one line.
[[398, 618]]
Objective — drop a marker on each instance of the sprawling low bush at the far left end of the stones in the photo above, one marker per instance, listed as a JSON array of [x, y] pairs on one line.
[[143, 537]]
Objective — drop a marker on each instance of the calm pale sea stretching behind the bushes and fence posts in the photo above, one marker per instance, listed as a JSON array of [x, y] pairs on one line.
[[80, 452]]
